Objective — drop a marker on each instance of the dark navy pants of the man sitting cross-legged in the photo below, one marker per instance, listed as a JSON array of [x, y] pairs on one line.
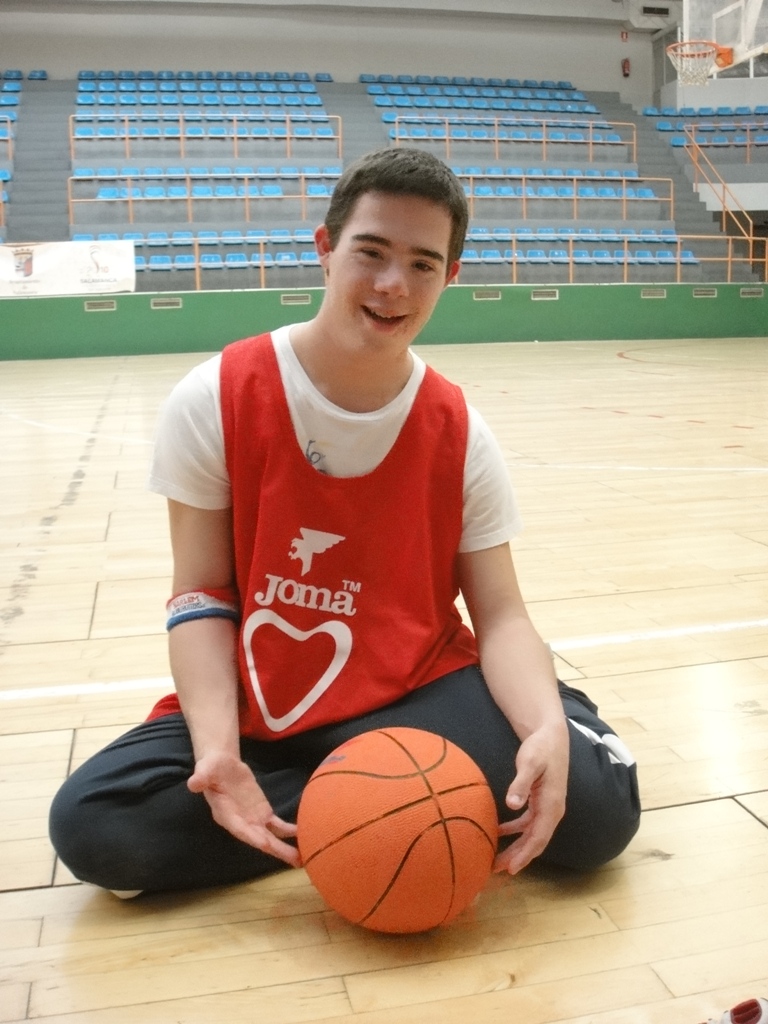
[[126, 820]]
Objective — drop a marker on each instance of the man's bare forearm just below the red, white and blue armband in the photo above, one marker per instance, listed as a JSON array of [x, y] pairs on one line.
[[203, 657]]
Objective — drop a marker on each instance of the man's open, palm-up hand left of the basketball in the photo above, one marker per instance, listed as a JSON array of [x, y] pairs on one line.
[[239, 805]]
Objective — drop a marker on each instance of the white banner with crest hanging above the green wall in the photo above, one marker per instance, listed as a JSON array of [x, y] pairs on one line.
[[67, 269]]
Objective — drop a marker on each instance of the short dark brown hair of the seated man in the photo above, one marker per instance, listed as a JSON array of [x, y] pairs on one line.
[[401, 172]]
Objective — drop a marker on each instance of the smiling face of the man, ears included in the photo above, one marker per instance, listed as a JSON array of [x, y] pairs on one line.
[[388, 270]]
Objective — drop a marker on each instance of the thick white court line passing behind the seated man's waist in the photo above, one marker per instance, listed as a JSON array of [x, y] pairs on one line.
[[577, 644]]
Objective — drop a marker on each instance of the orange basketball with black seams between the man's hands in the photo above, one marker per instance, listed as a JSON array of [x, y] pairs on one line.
[[398, 830]]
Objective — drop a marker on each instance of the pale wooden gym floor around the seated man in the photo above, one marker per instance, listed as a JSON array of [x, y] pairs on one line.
[[643, 473]]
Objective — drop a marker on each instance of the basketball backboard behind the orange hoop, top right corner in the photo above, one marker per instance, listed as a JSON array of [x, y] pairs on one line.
[[741, 25]]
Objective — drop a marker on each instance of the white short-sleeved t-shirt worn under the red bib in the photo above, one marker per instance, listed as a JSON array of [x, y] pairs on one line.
[[189, 463]]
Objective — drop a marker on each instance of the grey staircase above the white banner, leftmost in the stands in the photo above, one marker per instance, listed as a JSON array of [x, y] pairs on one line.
[[37, 205]]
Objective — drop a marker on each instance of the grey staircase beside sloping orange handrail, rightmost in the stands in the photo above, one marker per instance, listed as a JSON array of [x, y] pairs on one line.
[[656, 159]]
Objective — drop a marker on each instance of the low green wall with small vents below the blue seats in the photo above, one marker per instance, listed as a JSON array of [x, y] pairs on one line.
[[53, 328]]
